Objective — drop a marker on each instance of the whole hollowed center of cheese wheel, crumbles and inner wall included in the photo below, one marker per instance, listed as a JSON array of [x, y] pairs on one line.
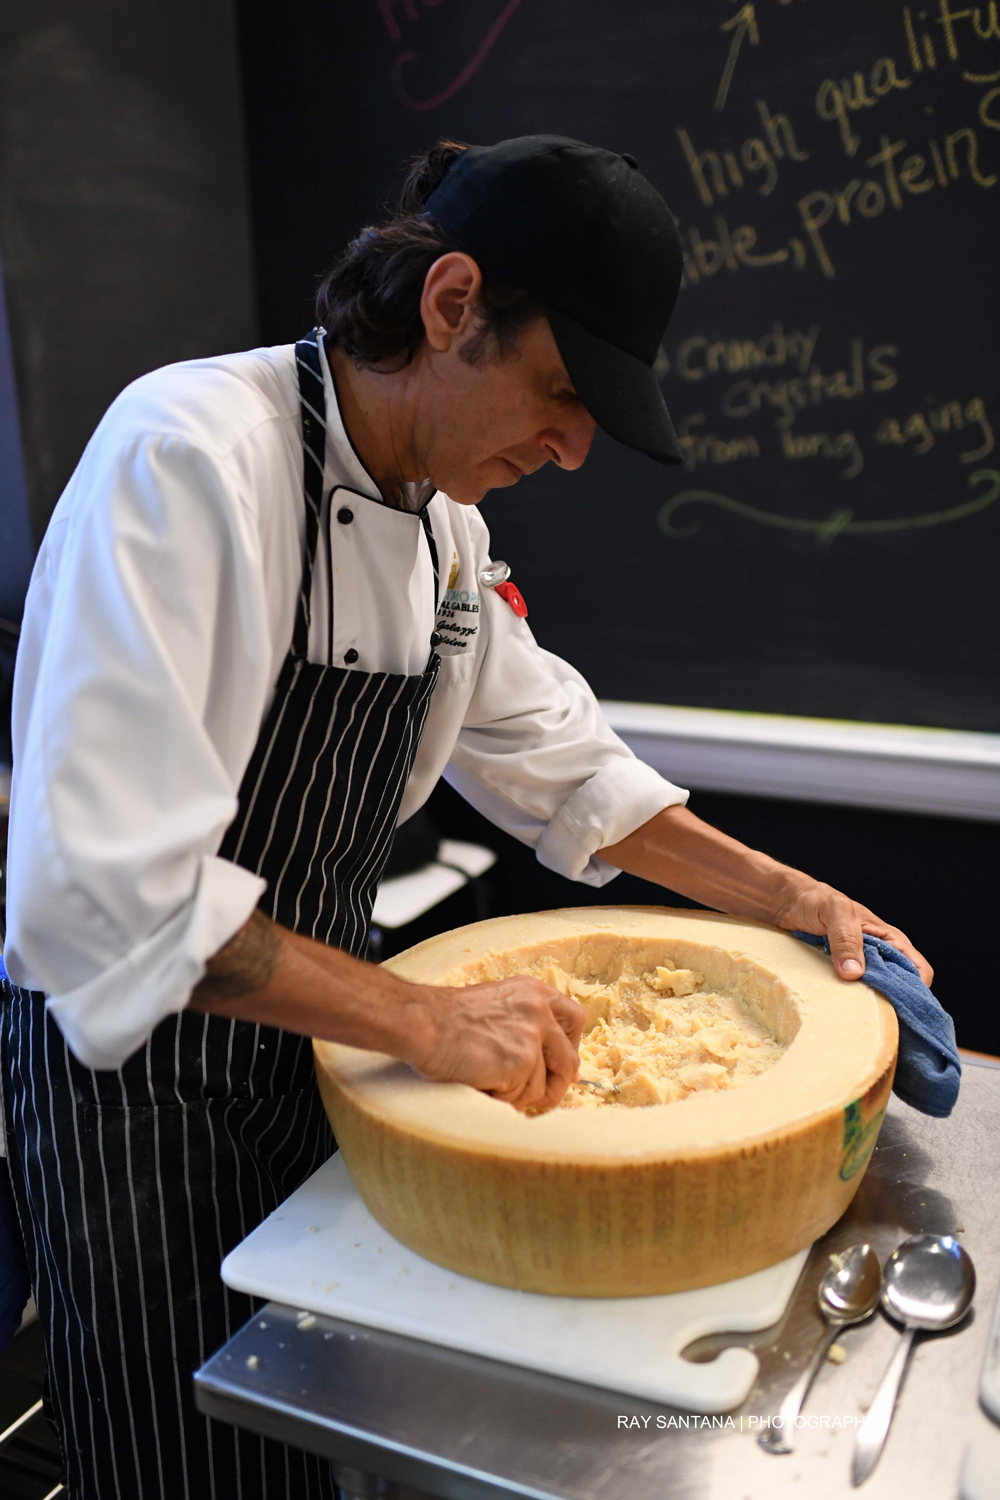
[[663, 1021]]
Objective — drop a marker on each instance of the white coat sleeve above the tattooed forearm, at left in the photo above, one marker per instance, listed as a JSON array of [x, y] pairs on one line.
[[143, 674]]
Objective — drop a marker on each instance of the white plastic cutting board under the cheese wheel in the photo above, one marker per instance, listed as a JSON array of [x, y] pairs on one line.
[[322, 1250]]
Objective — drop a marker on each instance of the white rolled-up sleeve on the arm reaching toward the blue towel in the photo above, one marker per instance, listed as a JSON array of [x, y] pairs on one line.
[[537, 757]]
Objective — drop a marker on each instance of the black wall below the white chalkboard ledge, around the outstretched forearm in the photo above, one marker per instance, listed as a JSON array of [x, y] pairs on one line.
[[936, 878]]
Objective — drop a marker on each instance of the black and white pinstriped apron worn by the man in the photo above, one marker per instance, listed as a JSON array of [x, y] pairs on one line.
[[134, 1184]]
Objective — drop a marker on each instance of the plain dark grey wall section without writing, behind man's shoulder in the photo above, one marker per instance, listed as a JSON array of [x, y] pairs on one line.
[[124, 221]]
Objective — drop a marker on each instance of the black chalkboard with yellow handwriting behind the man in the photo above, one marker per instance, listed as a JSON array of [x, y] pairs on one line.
[[830, 547]]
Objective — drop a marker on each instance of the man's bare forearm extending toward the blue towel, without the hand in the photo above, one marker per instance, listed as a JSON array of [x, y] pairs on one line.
[[687, 856]]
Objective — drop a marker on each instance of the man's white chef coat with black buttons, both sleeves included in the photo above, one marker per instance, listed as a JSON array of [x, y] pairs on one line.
[[158, 619]]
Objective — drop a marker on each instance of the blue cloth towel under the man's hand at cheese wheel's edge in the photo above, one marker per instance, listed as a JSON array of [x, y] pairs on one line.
[[929, 1070]]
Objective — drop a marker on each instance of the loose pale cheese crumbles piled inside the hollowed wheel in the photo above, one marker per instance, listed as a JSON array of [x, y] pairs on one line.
[[660, 1037]]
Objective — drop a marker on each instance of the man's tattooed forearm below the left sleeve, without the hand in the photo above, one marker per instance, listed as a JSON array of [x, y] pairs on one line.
[[275, 977]]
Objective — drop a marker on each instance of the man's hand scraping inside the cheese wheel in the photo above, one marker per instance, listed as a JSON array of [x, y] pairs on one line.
[[515, 1039]]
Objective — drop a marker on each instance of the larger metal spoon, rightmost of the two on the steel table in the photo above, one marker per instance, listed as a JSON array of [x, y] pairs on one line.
[[929, 1283]]
